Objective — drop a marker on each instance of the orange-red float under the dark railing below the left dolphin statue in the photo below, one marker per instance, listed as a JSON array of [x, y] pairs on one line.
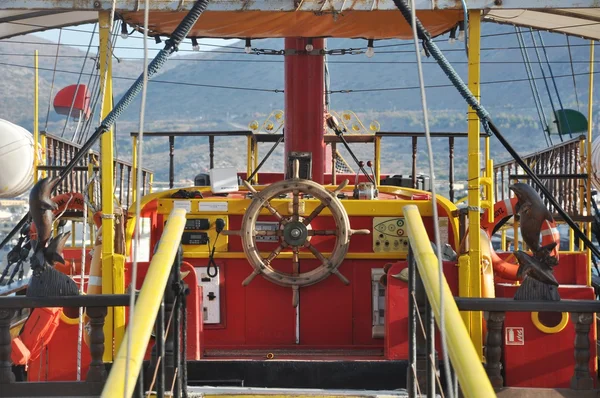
[[36, 334]]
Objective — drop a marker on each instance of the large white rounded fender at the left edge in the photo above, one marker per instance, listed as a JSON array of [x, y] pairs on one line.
[[16, 160]]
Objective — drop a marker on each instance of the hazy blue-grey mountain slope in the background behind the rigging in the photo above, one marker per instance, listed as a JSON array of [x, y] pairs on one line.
[[226, 89]]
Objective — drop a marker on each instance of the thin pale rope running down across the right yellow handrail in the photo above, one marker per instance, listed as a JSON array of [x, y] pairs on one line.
[[436, 228]]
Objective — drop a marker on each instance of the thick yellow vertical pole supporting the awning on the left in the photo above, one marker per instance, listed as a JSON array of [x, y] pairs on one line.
[[107, 182]]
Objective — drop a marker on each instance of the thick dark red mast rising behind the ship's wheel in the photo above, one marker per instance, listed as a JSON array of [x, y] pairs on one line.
[[304, 103]]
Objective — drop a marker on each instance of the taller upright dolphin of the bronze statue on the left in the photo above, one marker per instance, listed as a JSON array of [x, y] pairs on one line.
[[40, 208]]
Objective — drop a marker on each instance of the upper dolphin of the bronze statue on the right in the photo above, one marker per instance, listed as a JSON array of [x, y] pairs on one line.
[[532, 212]]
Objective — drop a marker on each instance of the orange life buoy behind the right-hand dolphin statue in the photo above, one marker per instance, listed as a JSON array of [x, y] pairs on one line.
[[505, 209]]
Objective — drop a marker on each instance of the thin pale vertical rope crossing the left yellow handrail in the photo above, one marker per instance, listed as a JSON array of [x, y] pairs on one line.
[[138, 221]]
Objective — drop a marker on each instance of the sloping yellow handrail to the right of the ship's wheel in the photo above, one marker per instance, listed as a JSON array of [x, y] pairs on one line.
[[471, 375]]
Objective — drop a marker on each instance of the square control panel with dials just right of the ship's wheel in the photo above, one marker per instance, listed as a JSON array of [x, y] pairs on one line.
[[389, 235]]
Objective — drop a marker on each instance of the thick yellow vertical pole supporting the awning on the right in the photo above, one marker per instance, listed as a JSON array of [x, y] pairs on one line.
[[474, 167]]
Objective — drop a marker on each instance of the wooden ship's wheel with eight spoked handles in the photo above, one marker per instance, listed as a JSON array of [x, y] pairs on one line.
[[295, 232]]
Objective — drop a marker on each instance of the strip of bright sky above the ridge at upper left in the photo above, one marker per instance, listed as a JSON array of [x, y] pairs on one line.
[[73, 35]]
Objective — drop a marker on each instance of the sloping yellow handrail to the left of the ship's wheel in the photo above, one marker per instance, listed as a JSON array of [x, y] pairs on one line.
[[146, 309]]
